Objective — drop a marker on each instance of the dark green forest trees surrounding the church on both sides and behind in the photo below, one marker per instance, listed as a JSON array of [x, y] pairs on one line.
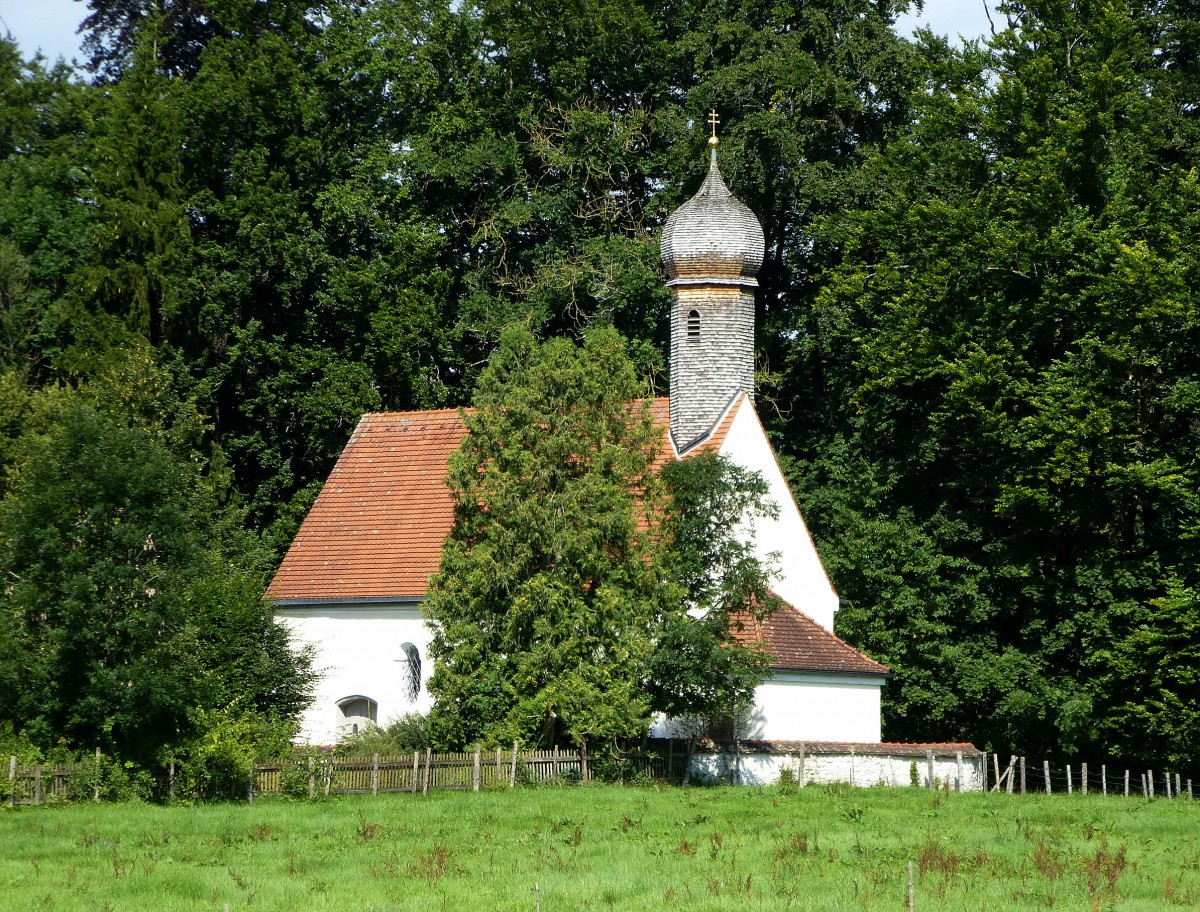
[[977, 334]]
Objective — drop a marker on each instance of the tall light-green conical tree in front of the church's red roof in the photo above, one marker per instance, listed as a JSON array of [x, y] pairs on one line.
[[544, 601]]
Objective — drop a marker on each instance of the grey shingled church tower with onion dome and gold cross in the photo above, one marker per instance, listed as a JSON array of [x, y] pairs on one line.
[[712, 249]]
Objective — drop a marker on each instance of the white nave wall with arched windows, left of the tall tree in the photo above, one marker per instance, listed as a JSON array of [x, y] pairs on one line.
[[357, 652]]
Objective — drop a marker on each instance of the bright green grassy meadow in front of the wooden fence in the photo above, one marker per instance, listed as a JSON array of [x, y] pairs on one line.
[[609, 848]]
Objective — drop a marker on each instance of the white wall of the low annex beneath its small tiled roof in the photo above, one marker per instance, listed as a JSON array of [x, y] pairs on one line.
[[811, 707]]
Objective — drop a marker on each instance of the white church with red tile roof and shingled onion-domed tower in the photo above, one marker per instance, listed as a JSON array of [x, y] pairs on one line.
[[353, 581]]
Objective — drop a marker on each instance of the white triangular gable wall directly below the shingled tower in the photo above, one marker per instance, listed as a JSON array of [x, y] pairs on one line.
[[802, 579]]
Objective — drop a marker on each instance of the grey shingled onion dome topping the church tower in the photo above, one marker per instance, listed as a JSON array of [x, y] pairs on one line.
[[713, 238]]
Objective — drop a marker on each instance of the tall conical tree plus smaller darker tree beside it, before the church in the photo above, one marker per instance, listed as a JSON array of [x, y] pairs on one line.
[[561, 607]]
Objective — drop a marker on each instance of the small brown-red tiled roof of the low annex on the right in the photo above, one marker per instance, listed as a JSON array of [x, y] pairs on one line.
[[796, 643]]
